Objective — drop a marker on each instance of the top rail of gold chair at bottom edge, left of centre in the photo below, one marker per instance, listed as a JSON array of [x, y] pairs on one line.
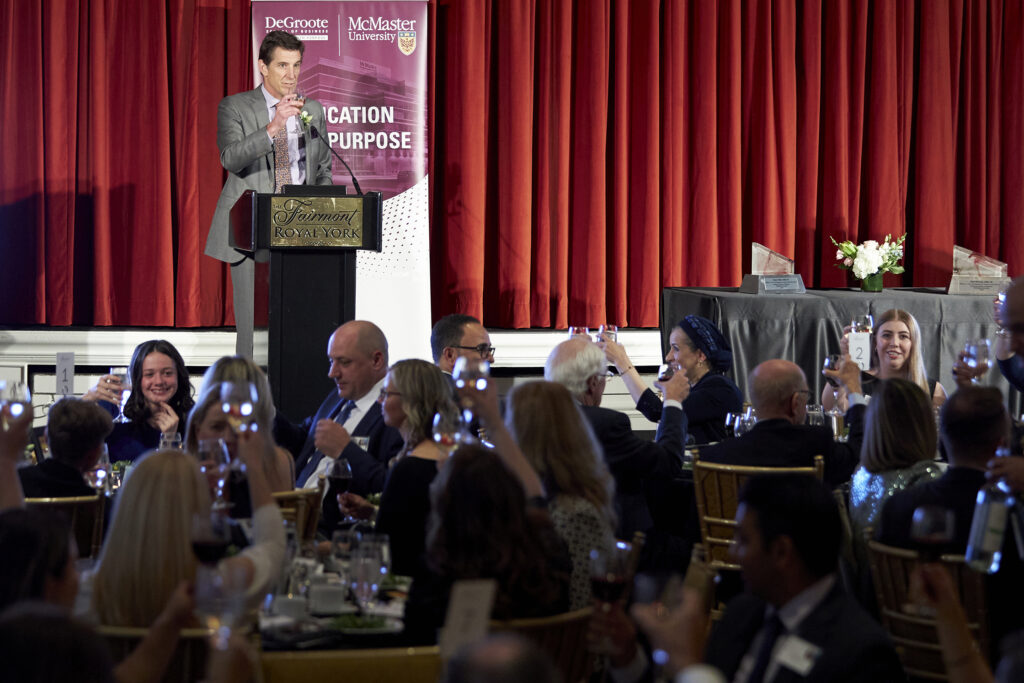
[[410, 665]]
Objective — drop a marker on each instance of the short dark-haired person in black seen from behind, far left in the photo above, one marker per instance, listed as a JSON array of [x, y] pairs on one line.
[[75, 432]]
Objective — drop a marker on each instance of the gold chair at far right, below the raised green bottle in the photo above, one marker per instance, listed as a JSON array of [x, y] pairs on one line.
[[913, 630]]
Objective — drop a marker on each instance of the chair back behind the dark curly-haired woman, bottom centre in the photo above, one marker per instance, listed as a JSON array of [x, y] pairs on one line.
[[563, 637]]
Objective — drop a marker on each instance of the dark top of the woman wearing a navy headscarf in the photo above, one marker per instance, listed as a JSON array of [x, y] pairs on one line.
[[709, 402]]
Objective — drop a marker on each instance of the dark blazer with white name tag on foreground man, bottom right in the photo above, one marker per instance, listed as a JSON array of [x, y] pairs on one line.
[[854, 647]]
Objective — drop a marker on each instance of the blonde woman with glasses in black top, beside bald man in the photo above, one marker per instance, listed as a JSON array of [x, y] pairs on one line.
[[414, 392]]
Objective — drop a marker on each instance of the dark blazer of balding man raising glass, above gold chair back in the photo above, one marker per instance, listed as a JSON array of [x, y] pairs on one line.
[[782, 444]]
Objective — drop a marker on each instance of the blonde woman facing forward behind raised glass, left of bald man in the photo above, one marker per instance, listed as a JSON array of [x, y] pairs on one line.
[[207, 420]]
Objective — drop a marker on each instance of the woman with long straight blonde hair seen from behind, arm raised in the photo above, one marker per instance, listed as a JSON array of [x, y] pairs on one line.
[[148, 551]]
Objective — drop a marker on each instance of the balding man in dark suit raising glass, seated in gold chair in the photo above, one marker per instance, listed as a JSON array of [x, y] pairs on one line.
[[780, 395]]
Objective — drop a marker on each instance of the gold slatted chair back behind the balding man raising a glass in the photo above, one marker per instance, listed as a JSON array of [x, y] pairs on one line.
[[717, 489]]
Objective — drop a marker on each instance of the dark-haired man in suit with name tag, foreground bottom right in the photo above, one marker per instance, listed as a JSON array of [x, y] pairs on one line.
[[795, 623]]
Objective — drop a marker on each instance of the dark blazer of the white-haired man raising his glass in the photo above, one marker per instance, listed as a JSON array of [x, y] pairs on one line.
[[633, 461]]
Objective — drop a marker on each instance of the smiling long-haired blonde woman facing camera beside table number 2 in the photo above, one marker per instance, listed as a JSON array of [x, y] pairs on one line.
[[895, 354]]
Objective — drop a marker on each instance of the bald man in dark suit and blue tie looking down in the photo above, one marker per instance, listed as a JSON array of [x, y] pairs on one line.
[[349, 423]]
